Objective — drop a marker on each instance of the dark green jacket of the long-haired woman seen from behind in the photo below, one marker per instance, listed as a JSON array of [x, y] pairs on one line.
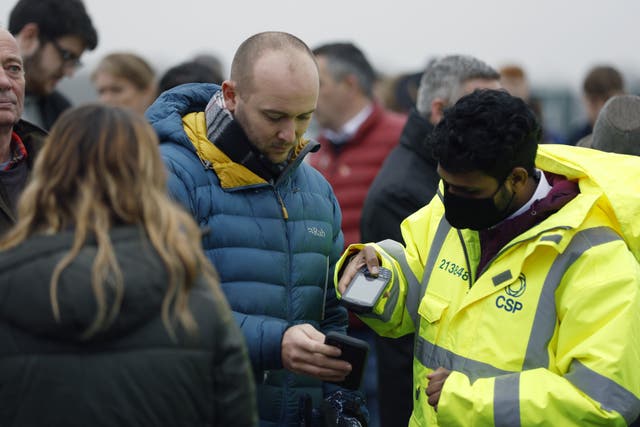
[[133, 373]]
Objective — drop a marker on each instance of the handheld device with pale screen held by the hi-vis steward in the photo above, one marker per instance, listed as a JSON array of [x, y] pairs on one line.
[[363, 291]]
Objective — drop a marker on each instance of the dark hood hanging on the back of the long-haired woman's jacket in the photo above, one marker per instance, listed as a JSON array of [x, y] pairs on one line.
[[25, 274]]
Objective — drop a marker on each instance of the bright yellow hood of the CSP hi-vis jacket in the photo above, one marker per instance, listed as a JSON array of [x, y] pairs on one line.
[[615, 177]]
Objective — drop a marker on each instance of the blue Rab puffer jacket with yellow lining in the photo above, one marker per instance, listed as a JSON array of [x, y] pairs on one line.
[[274, 244]]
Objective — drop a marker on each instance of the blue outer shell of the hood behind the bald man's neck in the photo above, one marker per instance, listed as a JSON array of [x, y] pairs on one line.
[[166, 113]]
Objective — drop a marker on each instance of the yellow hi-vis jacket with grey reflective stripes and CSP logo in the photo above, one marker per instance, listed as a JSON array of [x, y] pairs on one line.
[[548, 334]]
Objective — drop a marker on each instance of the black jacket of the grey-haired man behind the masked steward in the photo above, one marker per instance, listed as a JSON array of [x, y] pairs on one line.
[[407, 181]]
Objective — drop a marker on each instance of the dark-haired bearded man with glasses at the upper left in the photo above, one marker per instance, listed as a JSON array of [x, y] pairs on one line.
[[52, 36]]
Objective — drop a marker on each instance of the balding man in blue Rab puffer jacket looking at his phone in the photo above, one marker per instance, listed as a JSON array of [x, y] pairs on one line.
[[271, 223]]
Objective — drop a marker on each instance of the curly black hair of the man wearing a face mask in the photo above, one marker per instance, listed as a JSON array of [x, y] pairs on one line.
[[488, 131]]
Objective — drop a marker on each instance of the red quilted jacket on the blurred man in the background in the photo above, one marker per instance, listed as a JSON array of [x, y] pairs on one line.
[[351, 167]]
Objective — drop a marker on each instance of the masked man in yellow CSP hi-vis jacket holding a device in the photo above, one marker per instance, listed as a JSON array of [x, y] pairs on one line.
[[519, 277]]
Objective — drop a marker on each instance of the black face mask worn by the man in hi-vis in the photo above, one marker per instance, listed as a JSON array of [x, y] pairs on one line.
[[475, 214]]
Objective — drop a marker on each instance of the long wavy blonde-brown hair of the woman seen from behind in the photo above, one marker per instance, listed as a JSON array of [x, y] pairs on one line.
[[101, 167]]
